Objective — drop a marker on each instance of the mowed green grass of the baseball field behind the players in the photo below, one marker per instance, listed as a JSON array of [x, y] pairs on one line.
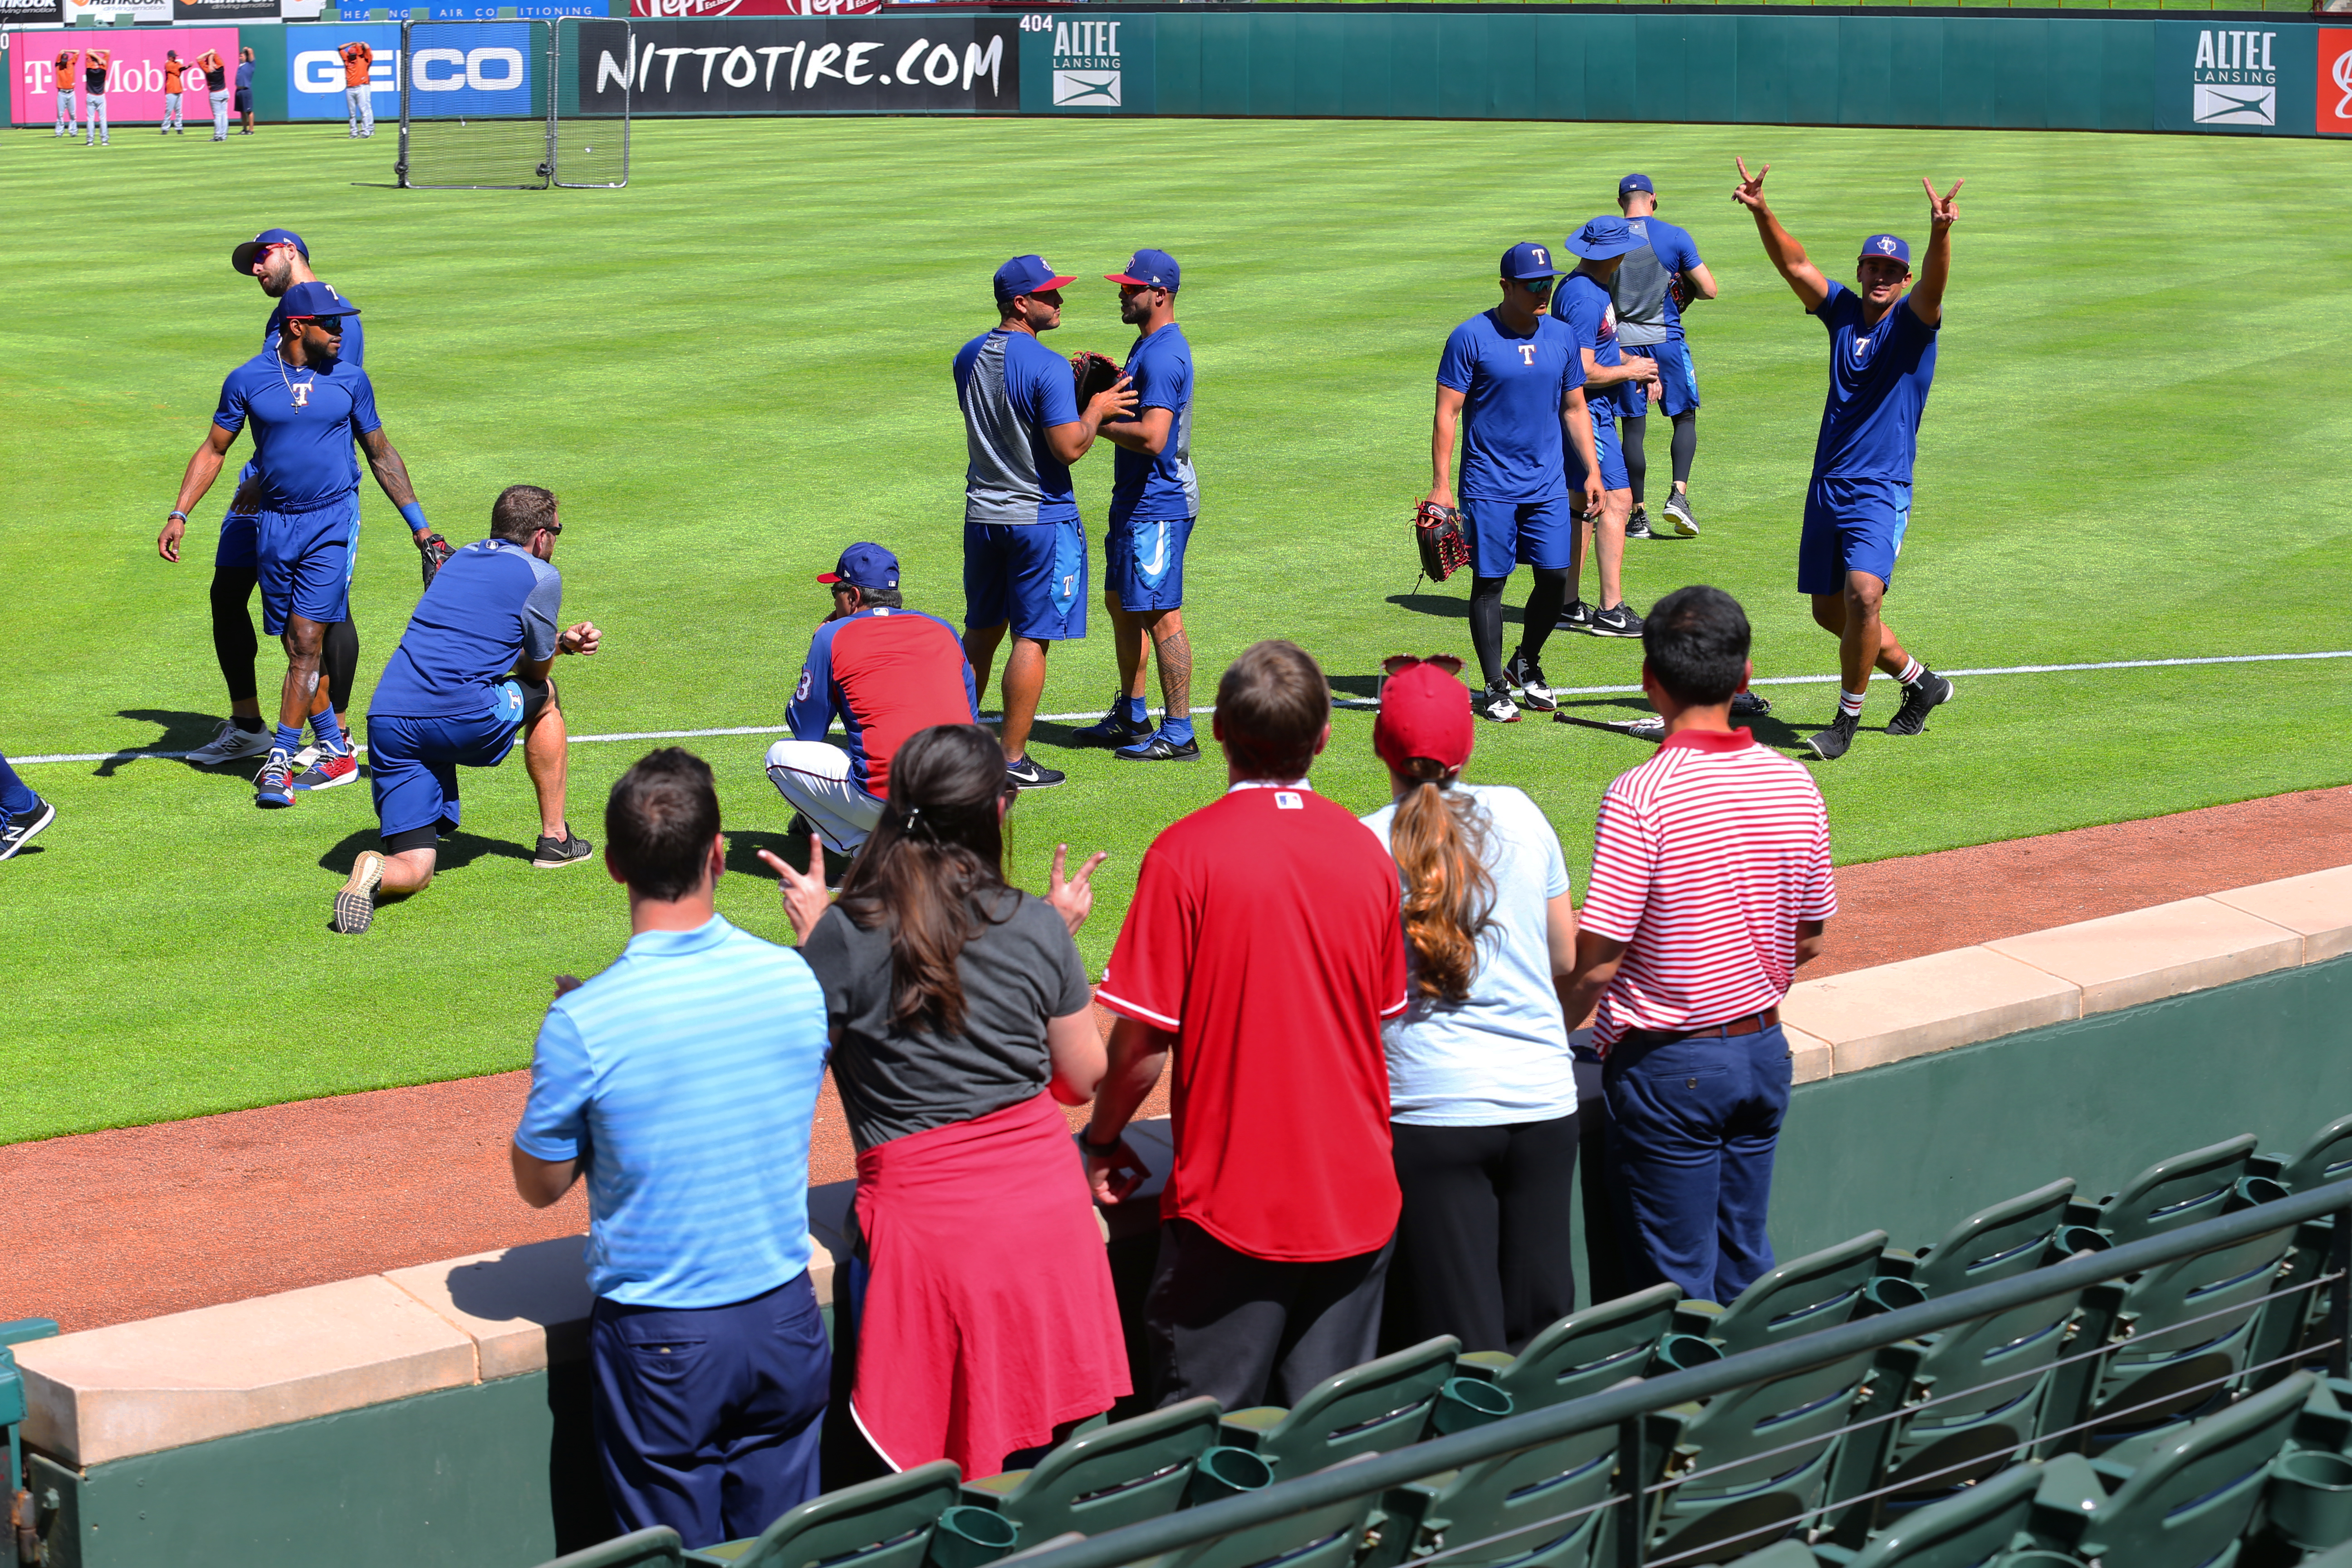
[[737, 366]]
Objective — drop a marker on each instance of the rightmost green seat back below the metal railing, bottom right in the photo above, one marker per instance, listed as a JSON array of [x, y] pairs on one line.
[[2198, 1492]]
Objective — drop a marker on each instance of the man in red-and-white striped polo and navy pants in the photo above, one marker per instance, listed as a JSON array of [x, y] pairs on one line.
[[1711, 885]]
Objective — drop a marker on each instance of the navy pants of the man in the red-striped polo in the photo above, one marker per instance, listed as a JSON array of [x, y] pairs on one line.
[[1692, 1132]]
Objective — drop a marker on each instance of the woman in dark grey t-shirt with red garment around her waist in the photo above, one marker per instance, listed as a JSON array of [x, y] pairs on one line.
[[977, 1311]]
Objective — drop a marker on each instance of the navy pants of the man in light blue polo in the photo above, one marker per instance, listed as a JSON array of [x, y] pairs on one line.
[[707, 1419]]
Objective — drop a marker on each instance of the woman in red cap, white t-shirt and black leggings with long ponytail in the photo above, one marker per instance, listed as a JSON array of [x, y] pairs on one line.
[[1483, 1090]]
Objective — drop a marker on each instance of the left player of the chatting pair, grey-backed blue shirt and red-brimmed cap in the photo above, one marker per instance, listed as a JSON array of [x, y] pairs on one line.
[[1024, 547]]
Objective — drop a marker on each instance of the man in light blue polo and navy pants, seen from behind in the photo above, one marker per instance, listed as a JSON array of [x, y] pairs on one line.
[[686, 1080]]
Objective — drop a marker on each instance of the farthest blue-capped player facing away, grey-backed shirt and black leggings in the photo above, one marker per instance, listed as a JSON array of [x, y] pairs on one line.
[[1650, 290]]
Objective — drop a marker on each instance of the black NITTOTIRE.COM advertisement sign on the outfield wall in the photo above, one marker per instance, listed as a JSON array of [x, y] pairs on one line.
[[810, 67]]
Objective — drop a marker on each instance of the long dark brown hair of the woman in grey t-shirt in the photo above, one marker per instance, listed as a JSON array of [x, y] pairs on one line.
[[935, 869]]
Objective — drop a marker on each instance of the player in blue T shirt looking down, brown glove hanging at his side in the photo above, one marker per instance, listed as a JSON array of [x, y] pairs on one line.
[[1521, 382]]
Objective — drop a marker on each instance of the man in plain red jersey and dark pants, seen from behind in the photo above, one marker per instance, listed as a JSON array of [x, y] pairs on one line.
[[1262, 951]]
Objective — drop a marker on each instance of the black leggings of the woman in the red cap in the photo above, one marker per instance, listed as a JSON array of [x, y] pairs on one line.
[[1483, 1245]]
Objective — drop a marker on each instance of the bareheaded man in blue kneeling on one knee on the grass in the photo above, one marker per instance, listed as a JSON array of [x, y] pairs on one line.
[[469, 681]]
